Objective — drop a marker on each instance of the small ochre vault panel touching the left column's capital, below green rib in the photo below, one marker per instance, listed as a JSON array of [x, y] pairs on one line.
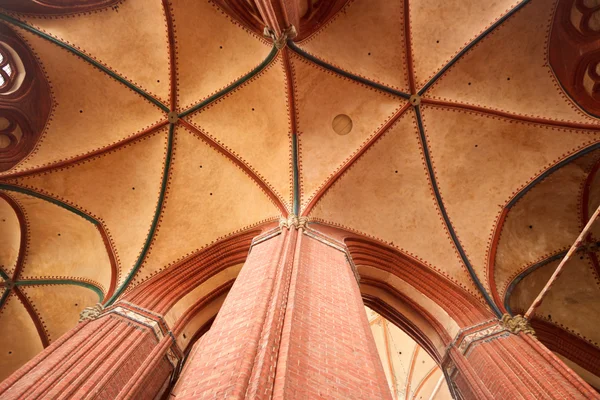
[[59, 305]]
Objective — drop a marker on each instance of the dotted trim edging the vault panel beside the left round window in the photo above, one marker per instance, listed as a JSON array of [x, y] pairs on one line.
[[20, 166]]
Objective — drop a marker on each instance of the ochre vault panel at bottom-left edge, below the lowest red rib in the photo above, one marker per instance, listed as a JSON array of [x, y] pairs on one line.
[[16, 323]]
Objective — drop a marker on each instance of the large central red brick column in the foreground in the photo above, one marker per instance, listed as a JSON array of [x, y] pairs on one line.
[[292, 327]]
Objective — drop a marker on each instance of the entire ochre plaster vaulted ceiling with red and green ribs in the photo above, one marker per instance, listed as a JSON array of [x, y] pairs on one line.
[[118, 189]]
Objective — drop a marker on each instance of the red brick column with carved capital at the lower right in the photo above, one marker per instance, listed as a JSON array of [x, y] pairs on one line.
[[500, 361]]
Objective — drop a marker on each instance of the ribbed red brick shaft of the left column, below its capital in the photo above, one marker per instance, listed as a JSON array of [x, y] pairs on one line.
[[95, 360]]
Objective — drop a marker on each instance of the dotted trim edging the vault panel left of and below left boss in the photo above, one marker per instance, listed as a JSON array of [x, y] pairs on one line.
[[19, 182]]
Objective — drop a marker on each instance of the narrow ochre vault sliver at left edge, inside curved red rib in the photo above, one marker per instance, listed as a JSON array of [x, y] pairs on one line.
[[10, 236]]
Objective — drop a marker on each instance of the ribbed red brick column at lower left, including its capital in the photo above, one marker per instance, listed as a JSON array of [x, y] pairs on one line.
[[106, 356]]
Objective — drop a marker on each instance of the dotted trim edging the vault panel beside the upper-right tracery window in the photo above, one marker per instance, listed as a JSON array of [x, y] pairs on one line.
[[557, 86]]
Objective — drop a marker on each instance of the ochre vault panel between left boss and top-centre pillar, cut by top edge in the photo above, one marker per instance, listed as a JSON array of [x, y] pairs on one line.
[[213, 51]]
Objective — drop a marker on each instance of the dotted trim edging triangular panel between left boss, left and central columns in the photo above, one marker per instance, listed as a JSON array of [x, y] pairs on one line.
[[136, 279]]
